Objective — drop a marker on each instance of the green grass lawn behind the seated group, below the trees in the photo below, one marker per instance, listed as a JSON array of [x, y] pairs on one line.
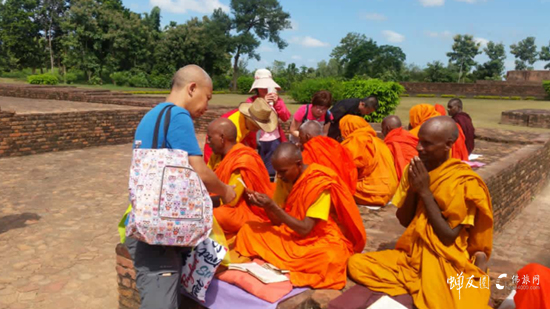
[[484, 113]]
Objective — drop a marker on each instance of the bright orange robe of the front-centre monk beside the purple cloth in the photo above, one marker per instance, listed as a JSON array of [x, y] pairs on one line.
[[319, 259]]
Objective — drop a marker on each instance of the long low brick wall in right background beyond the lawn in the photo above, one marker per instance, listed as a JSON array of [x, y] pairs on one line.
[[473, 89]]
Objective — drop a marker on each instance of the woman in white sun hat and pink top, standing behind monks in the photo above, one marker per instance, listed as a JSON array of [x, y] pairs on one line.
[[266, 88]]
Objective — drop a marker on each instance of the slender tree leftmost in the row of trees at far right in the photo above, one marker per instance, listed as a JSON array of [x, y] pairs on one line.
[[465, 49]]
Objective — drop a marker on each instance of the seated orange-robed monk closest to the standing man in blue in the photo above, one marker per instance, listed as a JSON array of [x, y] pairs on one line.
[[239, 164]]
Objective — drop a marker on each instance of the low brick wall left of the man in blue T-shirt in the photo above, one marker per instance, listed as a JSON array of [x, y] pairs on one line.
[[28, 134]]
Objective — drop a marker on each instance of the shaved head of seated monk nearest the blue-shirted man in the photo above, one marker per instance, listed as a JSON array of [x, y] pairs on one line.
[[222, 136]]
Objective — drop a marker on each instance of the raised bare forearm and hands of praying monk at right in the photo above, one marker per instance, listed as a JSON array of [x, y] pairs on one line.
[[420, 183]]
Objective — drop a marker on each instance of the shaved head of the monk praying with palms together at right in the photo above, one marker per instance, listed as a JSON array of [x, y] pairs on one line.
[[436, 138]]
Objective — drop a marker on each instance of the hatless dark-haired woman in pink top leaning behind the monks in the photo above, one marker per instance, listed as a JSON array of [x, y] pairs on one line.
[[316, 111]]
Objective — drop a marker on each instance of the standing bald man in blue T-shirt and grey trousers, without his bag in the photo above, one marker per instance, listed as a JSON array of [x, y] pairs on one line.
[[159, 268]]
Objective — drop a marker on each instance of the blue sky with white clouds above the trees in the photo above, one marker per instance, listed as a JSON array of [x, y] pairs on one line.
[[422, 28]]
